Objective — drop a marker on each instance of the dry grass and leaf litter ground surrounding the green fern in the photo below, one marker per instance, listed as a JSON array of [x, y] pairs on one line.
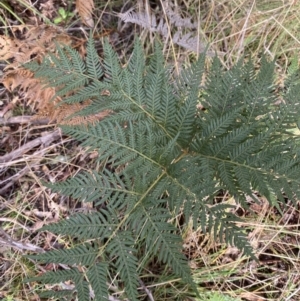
[[33, 149]]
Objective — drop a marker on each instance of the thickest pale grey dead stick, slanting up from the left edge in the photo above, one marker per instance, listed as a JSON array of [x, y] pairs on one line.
[[44, 140]]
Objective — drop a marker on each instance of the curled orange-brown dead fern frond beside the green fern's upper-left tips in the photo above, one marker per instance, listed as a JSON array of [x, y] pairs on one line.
[[38, 41]]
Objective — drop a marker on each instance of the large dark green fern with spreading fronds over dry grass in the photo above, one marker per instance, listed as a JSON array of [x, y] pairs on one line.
[[172, 143]]
